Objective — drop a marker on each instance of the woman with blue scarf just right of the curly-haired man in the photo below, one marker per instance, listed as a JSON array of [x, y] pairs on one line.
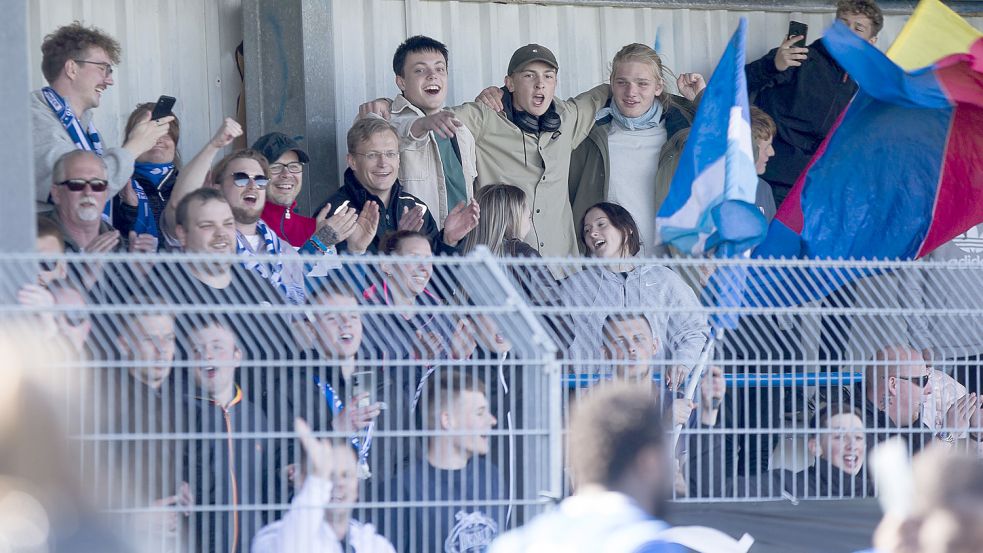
[[139, 205]]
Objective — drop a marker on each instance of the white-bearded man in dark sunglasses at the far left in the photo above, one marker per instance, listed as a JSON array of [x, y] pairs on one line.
[[80, 191]]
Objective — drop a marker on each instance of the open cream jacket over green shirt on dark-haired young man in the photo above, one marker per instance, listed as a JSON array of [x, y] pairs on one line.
[[421, 171]]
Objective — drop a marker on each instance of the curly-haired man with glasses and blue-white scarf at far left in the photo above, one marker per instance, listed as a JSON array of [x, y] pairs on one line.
[[77, 62]]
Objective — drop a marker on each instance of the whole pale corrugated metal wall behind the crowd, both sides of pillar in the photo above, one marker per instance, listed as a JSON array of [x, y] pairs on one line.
[[185, 47]]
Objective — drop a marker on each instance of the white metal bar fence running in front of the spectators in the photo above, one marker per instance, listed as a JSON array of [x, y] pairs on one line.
[[182, 395]]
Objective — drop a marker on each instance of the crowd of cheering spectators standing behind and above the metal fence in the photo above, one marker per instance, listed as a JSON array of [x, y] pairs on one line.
[[519, 172]]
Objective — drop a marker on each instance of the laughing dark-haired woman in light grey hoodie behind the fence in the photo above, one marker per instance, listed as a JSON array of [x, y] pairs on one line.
[[608, 231]]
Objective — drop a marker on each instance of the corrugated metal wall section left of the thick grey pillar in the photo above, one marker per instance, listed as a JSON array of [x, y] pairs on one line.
[[183, 48]]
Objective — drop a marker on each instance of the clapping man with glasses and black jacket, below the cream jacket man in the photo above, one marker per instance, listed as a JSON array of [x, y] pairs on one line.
[[371, 188]]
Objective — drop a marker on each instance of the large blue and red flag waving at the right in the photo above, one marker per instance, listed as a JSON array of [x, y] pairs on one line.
[[900, 173]]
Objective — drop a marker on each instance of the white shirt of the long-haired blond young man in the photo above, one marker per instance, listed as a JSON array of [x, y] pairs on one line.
[[634, 160]]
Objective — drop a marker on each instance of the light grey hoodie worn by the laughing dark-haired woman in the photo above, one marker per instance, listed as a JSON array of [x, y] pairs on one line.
[[673, 309]]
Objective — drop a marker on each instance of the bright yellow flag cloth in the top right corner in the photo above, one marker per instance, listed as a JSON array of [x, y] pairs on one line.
[[933, 32]]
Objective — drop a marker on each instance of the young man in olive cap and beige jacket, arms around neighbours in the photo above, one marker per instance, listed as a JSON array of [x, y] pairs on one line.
[[528, 143]]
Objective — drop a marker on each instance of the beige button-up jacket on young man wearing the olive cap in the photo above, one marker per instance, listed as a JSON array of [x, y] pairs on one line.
[[537, 165]]
